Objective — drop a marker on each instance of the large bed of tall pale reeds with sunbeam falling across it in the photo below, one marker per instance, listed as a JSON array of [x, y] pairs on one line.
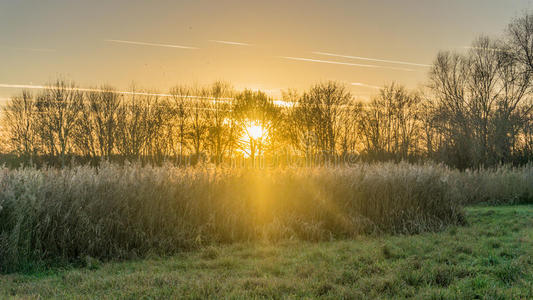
[[116, 212]]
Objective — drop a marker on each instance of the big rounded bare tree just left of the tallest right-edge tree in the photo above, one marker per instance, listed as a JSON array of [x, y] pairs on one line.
[[481, 100]]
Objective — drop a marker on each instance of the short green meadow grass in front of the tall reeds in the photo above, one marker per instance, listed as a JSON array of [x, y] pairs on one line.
[[489, 258]]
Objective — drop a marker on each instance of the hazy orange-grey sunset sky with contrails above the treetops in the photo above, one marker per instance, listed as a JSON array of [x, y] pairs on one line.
[[268, 45]]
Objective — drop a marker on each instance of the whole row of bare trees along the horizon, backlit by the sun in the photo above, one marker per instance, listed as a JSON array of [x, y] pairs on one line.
[[476, 110]]
